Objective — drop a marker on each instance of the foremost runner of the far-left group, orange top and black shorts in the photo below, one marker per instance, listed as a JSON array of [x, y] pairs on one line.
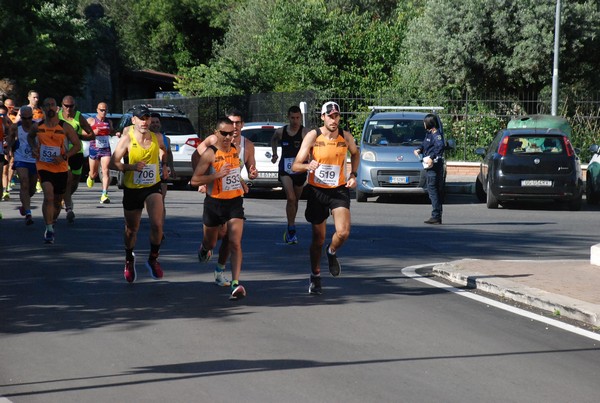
[[48, 142]]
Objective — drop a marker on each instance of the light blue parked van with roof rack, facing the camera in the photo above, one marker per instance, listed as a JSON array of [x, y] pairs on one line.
[[388, 164]]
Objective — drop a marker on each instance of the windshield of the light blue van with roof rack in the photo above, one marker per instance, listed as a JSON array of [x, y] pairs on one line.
[[395, 133]]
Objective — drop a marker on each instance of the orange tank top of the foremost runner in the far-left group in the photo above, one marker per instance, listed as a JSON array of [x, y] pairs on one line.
[[52, 142]]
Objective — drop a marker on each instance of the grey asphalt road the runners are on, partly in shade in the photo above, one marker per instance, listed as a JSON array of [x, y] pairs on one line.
[[72, 329]]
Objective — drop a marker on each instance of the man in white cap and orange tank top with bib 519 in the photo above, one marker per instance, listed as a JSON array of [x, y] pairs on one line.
[[328, 188]]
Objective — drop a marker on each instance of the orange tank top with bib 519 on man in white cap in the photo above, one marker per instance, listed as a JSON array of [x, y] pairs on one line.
[[331, 155]]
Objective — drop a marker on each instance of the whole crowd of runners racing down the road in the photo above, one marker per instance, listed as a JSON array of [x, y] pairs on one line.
[[42, 147]]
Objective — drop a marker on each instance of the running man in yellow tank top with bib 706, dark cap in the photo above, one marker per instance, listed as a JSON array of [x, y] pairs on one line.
[[142, 188]]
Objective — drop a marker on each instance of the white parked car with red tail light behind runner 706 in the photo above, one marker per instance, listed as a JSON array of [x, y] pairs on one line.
[[181, 133]]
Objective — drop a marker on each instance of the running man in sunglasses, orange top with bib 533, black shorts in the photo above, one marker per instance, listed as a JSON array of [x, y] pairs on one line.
[[219, 168]]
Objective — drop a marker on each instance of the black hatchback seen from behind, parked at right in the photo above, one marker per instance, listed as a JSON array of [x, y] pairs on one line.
[[533, 163]]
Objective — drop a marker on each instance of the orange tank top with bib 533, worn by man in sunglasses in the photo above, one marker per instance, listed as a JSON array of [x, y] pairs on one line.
[[229, 186]]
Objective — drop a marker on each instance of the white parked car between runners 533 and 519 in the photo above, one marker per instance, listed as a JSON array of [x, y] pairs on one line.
[[260, 133]]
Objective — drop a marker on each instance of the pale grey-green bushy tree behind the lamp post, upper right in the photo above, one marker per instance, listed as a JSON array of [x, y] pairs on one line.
[[501, 45]]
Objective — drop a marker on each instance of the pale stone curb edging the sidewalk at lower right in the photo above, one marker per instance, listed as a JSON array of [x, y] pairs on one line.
[[566, 306]]
